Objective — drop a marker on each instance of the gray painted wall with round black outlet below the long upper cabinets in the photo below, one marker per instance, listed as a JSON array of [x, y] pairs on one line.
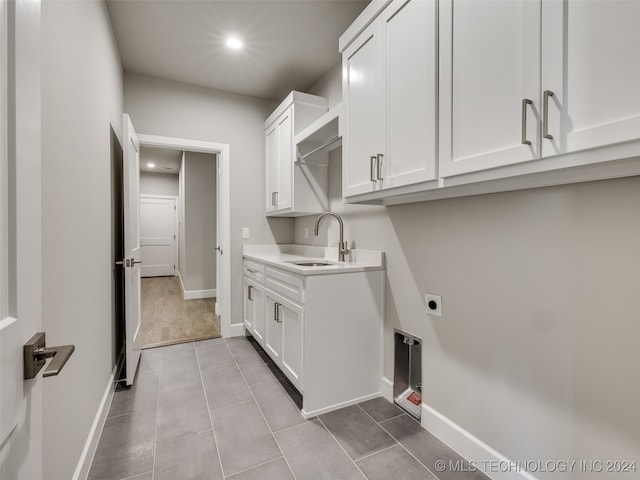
[[536, 353]]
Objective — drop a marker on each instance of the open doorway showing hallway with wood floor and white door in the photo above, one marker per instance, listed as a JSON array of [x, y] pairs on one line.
[[178, 227]]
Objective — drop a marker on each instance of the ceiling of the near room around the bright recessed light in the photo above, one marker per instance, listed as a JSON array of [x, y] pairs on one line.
[[289, 45]]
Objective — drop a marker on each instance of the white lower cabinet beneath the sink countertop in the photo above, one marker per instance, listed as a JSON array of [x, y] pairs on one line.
[[322, 331]]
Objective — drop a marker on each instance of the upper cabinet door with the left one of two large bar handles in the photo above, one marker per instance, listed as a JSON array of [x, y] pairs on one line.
[[489, 64]]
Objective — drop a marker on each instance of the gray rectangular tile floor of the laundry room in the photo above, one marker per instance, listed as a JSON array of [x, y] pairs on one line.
[[213, 410]]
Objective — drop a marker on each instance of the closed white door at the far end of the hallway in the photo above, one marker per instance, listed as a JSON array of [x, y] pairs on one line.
[[158, 236]]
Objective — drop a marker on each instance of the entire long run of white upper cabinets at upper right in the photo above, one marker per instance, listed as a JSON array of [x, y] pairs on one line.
[[529, 93]]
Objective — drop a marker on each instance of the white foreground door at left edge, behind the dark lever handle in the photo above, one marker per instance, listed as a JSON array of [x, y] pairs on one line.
[[20, 238]]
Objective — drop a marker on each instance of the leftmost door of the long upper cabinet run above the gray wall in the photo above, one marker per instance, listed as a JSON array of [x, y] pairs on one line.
[[363, 101]]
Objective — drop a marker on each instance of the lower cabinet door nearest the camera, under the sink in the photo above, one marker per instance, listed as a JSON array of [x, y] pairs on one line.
[[291, 316]]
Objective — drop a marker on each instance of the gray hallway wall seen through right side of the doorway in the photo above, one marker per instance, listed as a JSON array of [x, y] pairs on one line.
[[200, 222]]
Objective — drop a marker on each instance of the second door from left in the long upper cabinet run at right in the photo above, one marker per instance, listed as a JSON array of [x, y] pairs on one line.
[[409, 75]]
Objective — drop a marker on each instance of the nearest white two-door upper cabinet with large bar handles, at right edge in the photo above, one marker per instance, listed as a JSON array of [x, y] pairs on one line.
[[495, 112]]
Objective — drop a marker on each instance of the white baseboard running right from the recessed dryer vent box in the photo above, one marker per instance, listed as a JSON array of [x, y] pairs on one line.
[[481, 455]]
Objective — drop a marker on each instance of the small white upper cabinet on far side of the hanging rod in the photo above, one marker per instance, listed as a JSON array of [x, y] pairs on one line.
[[293, 189]]
